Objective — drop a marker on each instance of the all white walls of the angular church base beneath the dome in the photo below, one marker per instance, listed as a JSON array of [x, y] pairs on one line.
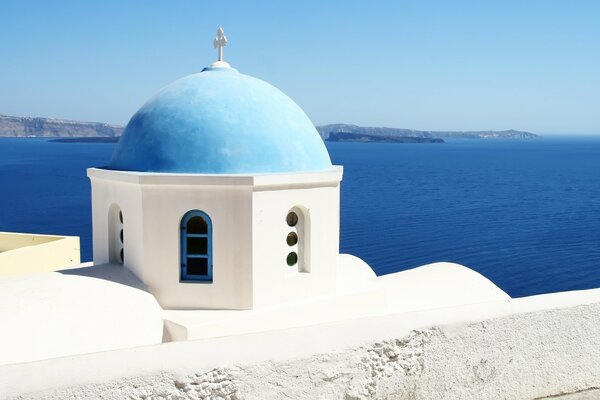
[[249, 230]]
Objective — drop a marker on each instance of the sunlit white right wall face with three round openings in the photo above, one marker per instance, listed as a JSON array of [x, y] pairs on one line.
[[317, 206]]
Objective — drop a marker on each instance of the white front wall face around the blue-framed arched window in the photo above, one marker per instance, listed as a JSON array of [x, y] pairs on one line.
[[229, 208]]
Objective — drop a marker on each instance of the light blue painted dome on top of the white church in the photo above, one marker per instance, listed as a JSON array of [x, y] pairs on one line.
[[219, 121]]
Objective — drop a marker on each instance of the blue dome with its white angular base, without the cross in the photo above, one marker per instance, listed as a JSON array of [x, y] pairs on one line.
[[220, 195]]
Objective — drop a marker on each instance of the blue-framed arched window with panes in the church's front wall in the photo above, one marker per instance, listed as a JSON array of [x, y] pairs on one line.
[[196, 247]]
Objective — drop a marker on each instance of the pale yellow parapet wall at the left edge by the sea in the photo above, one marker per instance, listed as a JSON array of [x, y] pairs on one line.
[[26, 253]]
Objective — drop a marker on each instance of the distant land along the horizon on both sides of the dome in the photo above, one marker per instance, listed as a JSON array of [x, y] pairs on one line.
[[59, 128]]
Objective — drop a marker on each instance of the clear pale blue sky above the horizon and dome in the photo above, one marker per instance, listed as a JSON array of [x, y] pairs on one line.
[[457, 65]]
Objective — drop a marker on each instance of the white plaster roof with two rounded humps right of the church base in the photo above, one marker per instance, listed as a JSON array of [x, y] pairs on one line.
[[359, 294]]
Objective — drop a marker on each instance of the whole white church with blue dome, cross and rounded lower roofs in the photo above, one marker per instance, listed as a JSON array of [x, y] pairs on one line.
[[218, 216]]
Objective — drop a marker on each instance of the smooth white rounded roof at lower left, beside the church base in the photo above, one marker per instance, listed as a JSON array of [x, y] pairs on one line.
[[54, 314]]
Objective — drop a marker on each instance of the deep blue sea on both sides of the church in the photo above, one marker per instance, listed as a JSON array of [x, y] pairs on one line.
[[526, 214]]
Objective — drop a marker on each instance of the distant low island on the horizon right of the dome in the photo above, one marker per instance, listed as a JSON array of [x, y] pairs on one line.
[[338, 129]]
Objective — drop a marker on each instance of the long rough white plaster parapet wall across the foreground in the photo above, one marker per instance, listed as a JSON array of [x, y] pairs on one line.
[[524, 348]]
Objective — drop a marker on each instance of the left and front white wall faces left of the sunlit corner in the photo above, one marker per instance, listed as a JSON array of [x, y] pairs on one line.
[[153, 206]]
